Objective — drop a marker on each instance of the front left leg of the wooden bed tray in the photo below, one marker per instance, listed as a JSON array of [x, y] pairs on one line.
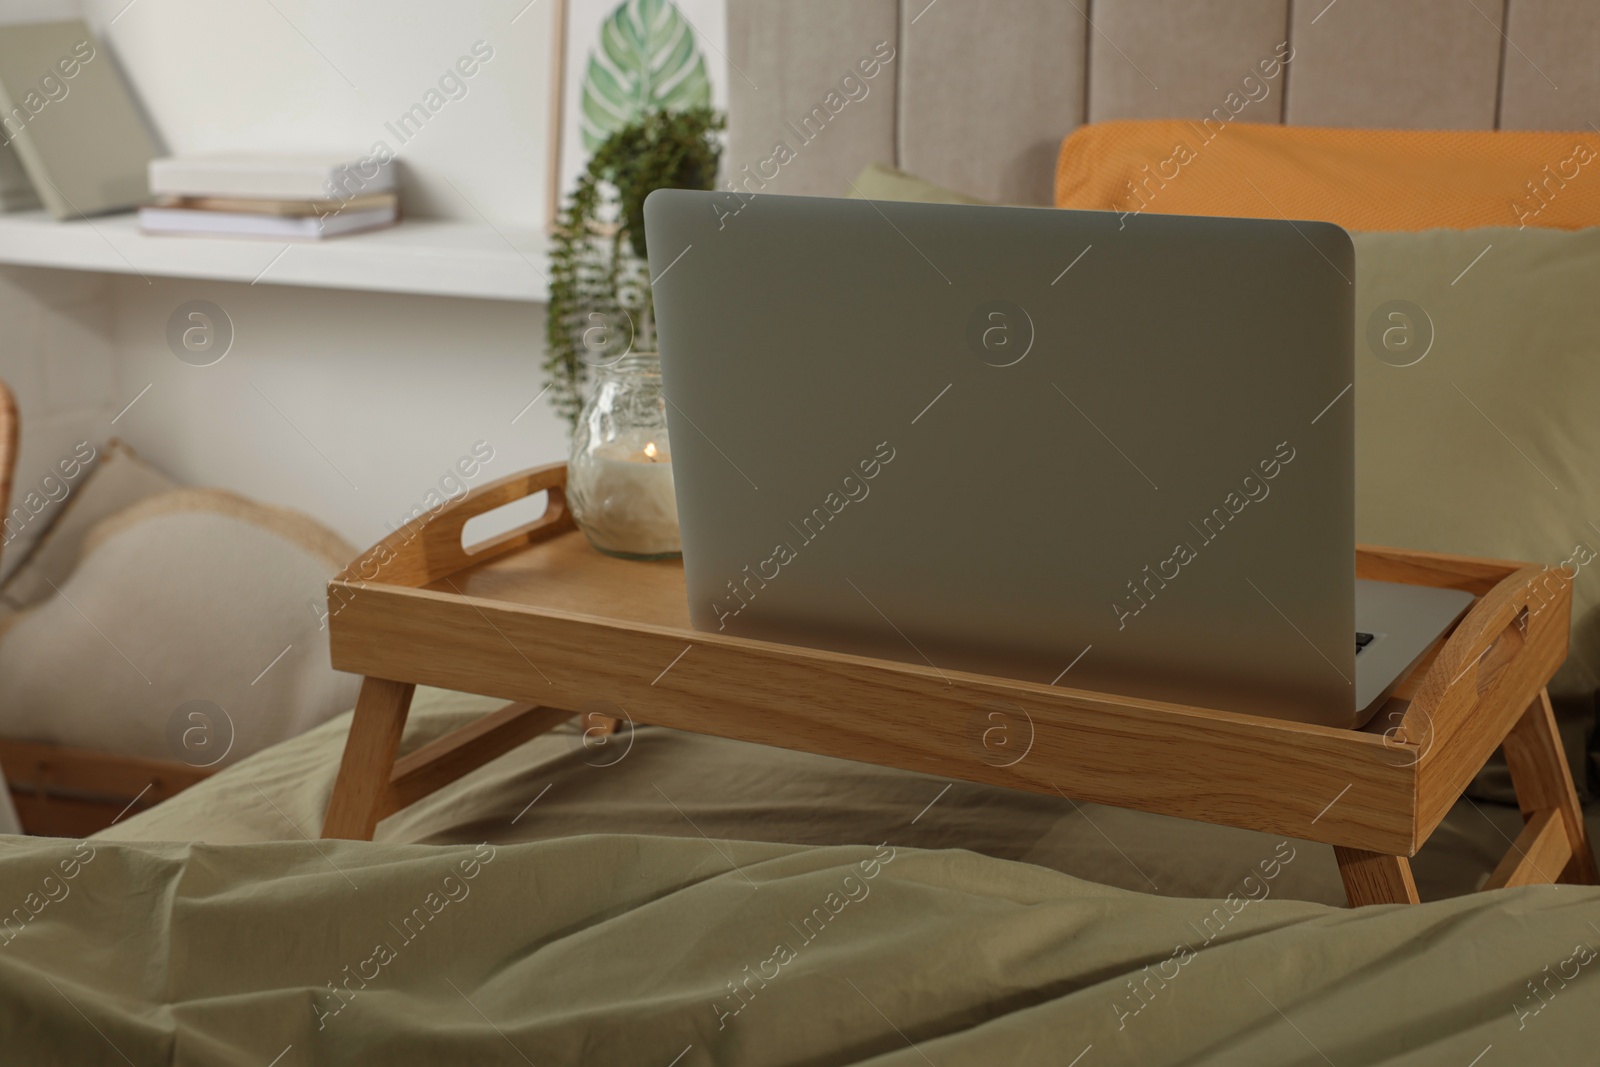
[[362, 788]]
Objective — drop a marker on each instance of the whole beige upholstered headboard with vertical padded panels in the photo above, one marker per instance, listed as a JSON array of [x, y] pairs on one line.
[[980, 94]]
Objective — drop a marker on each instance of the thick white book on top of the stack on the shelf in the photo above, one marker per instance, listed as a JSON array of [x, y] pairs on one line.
[[270, 177]]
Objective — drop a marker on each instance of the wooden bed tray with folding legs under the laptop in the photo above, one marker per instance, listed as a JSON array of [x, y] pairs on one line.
[[543, 620]]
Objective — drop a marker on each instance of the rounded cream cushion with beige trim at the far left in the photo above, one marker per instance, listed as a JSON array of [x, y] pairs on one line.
[[190, 631]]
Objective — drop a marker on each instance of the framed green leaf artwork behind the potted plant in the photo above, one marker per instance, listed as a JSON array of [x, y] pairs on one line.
[[618, 60]]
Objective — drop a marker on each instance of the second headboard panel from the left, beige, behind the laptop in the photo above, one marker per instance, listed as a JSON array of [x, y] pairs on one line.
[[988, 92]]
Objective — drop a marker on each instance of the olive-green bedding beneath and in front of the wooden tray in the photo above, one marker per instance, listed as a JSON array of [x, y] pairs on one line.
[[663, 895]]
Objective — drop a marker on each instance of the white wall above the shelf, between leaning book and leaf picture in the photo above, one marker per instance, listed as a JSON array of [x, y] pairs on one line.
[[327, 76]]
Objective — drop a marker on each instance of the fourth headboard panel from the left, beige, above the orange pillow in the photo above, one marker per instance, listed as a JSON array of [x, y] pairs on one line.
[[1428, 65]]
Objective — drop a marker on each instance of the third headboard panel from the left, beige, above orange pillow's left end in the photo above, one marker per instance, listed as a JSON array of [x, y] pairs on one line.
[[1196, 52]]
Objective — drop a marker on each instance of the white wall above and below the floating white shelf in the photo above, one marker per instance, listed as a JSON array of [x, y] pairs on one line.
[[391, 390]]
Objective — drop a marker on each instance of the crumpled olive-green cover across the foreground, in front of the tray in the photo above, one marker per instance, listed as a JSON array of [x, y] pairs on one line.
[[684, 951]]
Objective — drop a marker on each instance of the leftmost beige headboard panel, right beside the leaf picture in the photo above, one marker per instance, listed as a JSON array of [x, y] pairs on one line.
[[785, 60]]
